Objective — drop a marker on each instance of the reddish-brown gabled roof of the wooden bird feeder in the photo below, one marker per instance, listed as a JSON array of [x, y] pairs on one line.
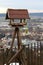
[[17, 14]]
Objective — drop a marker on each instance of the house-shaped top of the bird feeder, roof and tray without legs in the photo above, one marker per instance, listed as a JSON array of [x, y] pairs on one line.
[[20, 14]]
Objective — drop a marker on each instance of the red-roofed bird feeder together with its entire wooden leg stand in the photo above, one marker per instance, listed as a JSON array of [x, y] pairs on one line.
[[13, 14]]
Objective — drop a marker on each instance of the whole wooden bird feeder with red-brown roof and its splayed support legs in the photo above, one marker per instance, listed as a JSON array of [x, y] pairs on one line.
[[21, 15]]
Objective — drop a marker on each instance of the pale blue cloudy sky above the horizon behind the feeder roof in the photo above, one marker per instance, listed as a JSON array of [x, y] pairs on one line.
[[31, 5]]
